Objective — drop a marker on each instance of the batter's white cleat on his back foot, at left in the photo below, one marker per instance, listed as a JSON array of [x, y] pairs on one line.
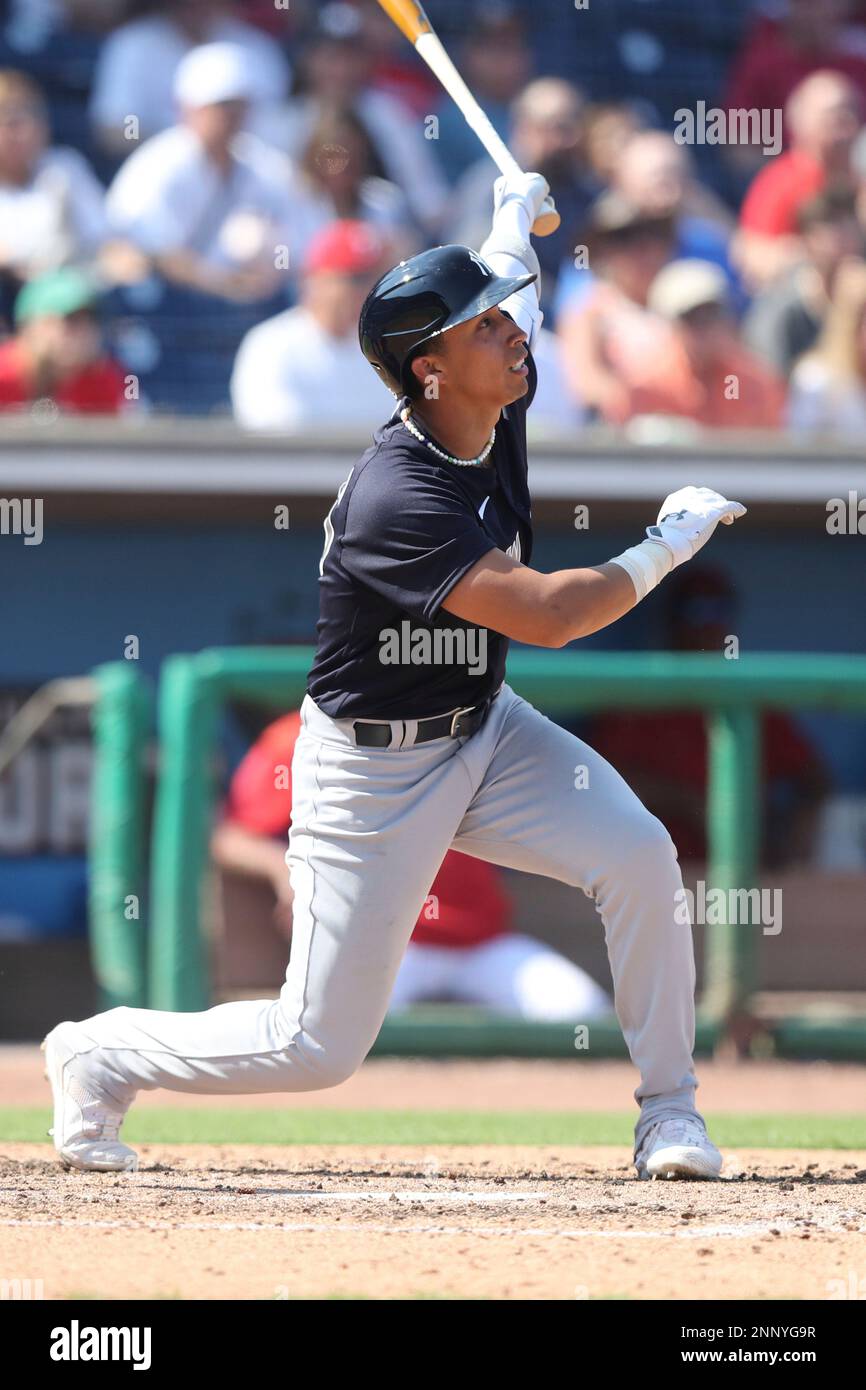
[[85, 1125]]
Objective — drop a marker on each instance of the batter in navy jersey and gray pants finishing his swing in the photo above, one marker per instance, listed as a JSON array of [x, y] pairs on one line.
[[412, 740]]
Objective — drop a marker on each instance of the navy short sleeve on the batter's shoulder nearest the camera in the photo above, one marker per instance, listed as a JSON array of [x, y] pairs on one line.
[[411, 536]]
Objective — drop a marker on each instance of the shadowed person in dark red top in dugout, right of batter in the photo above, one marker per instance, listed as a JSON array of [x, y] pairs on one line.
[[664, 753]]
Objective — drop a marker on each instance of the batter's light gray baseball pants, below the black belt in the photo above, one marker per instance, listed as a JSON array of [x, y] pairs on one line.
[[370, 829]]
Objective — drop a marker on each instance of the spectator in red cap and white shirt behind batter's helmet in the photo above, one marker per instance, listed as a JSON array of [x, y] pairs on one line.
[[304, 369]]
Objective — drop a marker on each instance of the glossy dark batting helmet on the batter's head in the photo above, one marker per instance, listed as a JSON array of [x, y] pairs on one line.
[[422, 298]]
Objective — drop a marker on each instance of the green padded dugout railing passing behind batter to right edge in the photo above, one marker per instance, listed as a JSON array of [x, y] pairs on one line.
[[730, 693]]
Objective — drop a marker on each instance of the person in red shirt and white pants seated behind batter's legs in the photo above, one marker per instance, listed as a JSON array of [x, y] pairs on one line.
[[462, 947]]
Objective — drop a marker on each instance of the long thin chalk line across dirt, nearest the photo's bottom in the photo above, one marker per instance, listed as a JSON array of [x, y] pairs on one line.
[[715, 1232]]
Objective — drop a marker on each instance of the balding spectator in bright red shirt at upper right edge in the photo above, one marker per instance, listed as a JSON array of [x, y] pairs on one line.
[[824, 115]]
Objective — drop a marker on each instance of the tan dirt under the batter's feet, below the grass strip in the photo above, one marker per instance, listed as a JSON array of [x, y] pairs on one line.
[[204, 1223]]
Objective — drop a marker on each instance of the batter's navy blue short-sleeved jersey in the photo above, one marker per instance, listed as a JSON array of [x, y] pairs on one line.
[[405, 529]]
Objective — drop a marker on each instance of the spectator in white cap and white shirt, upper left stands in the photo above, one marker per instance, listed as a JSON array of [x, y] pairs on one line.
[[206, 202]]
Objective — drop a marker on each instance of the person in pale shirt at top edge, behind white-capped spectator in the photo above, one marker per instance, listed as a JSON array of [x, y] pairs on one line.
[[138, 65]]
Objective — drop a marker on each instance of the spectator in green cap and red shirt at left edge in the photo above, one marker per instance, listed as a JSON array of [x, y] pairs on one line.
[[58, 351]]
